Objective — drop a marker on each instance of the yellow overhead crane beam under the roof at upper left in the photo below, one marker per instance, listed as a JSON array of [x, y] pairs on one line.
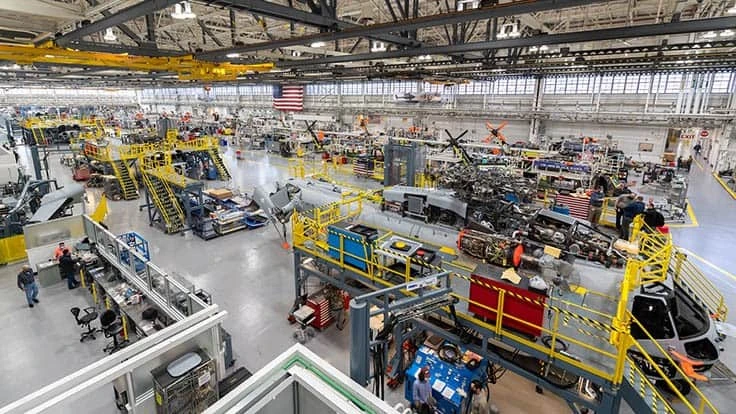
[[186, 67]]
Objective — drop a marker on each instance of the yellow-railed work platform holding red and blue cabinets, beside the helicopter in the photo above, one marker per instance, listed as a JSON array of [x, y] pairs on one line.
[[578, 337]]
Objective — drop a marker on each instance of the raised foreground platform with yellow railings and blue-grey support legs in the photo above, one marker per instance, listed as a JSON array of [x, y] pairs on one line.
[[602, 345]]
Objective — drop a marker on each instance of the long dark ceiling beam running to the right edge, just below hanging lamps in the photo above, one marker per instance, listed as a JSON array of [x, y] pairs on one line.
[[688, 26]]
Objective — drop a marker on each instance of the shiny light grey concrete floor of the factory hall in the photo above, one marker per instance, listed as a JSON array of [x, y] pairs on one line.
[[251, 276]]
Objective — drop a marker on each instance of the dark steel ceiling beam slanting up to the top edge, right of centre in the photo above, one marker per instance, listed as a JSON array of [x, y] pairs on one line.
[[379, 30]]
